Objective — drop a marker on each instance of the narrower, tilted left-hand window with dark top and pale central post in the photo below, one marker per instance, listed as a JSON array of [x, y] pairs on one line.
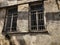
[[11, 19]]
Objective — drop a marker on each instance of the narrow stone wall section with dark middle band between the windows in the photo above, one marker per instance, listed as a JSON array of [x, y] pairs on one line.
[[22, 21]]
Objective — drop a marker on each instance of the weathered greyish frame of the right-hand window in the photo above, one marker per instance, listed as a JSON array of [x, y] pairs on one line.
[[44, 30]]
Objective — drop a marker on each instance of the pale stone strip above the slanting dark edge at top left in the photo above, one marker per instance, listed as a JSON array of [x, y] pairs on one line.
[[5, 3]]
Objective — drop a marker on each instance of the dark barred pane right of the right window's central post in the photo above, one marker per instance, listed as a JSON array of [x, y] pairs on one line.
[[41, 21]]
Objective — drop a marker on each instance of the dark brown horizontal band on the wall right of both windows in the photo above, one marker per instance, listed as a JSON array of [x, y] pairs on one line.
[[53, 16]]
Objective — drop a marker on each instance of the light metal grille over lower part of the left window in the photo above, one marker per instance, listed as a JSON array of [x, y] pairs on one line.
[[10, 23]]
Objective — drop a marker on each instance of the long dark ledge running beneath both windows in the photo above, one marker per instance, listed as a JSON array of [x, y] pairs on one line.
[[30, 32]]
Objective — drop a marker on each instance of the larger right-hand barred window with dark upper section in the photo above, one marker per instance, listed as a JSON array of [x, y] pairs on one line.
[[37, 16]]
